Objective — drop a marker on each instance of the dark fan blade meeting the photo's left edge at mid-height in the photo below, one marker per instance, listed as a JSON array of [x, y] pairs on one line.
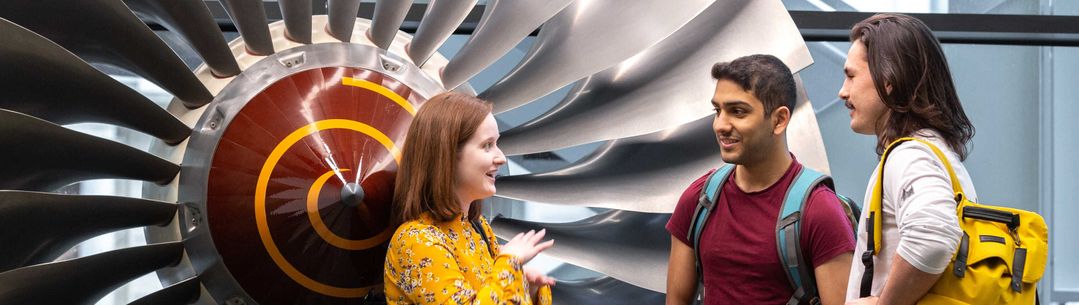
[[51, 157]]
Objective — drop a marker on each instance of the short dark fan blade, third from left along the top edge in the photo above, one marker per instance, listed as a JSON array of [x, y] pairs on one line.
[[251, 21]]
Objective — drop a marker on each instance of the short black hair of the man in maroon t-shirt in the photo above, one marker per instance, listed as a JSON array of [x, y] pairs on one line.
[[764, 76]]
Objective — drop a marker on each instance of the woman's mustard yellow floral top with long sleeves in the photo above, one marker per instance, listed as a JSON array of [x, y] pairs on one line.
[[448, 264]]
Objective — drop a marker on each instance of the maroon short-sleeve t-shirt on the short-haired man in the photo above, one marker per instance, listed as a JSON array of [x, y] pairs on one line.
[[739, 244]]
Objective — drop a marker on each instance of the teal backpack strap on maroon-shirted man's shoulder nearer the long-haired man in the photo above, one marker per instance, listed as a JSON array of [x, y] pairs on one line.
[[788, 238]]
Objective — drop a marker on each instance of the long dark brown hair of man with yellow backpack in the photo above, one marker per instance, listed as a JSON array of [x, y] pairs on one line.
[[905, 54]]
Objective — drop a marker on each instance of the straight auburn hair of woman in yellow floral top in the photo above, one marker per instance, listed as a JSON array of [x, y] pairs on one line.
[[426, 176]]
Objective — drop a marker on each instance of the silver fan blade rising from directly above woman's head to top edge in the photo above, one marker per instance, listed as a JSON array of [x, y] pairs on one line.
[[504, 25]]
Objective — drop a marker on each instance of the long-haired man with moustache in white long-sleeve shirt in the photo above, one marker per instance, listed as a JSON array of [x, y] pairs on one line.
[[898, 86]]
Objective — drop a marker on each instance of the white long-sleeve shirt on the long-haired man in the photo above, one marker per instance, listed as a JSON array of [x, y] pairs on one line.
[[920, 213]]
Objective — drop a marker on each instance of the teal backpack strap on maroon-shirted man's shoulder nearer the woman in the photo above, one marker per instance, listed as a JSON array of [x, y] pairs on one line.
[[709, 196]]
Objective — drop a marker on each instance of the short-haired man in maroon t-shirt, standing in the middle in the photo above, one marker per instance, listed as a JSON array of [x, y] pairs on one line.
[[755, 96]]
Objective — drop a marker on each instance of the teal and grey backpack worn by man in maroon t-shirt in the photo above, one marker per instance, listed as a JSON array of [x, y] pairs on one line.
[[788, 228]]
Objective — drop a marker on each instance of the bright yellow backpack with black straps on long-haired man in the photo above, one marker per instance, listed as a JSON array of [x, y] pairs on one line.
[[1001, 258]]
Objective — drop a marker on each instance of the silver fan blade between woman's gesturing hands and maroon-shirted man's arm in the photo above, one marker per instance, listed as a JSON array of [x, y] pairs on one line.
[[643, 260]]
